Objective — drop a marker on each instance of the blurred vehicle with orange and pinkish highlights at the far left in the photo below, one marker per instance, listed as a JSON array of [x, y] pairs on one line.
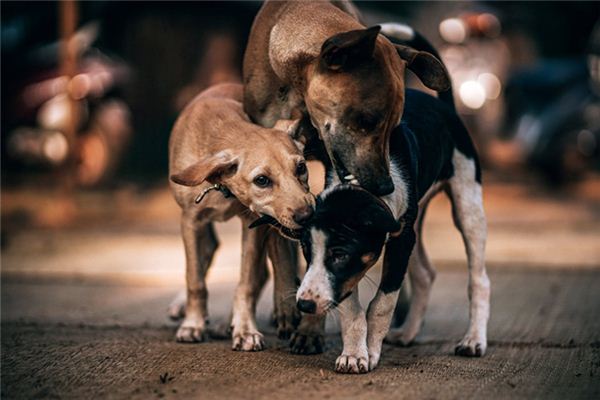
[[51, 105]]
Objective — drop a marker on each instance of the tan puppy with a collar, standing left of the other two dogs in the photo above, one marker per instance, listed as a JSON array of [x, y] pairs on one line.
[[213, 142]]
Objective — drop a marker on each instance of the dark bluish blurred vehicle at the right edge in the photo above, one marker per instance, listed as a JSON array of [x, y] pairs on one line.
[[553, 113]]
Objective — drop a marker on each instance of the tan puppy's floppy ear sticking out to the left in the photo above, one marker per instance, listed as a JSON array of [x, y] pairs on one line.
[[212, 169]]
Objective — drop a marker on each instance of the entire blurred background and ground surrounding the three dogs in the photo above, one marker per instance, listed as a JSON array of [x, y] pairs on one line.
[[92, 255]]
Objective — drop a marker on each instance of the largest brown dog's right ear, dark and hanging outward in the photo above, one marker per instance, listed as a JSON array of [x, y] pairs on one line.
[[426, 66]]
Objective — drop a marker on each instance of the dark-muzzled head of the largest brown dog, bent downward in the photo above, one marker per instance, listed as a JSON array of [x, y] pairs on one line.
[[355, 98]]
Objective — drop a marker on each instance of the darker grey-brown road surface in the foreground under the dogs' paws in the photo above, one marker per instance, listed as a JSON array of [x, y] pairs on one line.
[[78, 340]]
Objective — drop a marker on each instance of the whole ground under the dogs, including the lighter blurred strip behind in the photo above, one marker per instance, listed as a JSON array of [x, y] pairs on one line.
[[83, 316]]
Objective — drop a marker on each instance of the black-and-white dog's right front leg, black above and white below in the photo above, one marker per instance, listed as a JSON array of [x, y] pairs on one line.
[[381, 308]]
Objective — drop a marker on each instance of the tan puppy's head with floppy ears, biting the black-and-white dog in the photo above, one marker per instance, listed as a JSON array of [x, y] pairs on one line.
[[265, 171]]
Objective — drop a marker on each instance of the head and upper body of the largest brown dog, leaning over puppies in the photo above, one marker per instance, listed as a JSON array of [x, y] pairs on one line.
[[316, 57]]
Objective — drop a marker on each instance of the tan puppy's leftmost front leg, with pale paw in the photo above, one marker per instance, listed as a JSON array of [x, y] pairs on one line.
[[200, 243]]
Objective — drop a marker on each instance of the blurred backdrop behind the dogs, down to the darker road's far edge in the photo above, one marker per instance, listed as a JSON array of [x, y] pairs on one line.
[[90, 91]]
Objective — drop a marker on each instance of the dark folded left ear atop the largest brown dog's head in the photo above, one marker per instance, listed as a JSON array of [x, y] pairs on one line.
[[348, 49]]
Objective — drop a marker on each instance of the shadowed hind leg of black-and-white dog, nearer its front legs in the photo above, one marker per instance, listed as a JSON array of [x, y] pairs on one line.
[[421, 274]]
